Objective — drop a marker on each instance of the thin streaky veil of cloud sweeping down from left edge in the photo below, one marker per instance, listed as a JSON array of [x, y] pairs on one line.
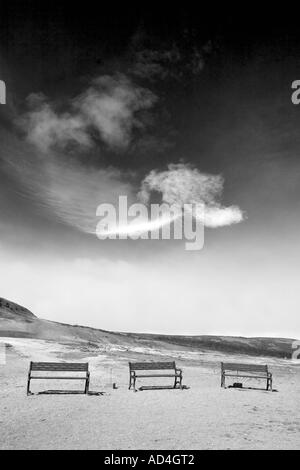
[[67, 192]]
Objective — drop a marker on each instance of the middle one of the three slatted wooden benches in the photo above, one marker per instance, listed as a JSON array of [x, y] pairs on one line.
[[169, 367]]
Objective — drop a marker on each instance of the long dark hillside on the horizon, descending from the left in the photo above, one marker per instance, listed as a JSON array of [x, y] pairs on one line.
[[17, 321]]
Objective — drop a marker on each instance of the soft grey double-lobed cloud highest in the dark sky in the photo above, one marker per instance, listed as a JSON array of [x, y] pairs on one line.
[[109, 110]]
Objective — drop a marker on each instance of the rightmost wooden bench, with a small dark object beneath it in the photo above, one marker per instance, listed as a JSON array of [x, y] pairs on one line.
[[252, 371]]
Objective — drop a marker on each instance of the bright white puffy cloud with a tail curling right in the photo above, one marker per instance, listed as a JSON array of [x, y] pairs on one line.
[[183, 184]]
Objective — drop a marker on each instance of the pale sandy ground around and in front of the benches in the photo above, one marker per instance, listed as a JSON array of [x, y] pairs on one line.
[[202, 417]]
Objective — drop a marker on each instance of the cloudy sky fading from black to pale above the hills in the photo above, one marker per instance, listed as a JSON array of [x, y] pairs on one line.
[[158, 107]]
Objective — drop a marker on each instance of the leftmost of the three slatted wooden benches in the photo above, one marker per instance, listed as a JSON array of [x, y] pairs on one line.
[[55, 367]]
